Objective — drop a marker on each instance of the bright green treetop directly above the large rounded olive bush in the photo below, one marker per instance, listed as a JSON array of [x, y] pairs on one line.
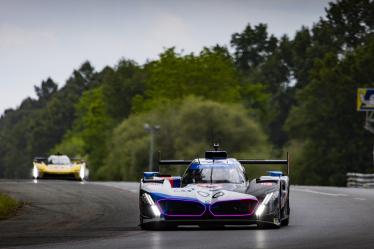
[[211, 74]]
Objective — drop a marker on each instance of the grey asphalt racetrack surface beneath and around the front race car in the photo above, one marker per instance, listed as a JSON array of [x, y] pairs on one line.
[[67, 214]]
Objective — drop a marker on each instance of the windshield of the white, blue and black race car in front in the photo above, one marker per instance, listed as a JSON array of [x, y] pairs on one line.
[[215, 174]]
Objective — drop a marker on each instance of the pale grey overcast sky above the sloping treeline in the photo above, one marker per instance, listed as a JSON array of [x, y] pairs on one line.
[[51, 38]]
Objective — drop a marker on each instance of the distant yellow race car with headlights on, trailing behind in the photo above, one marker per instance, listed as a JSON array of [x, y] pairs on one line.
[[59, 166]]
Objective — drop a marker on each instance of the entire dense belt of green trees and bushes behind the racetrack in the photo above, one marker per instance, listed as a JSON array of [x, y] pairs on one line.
[[271, 94]]
